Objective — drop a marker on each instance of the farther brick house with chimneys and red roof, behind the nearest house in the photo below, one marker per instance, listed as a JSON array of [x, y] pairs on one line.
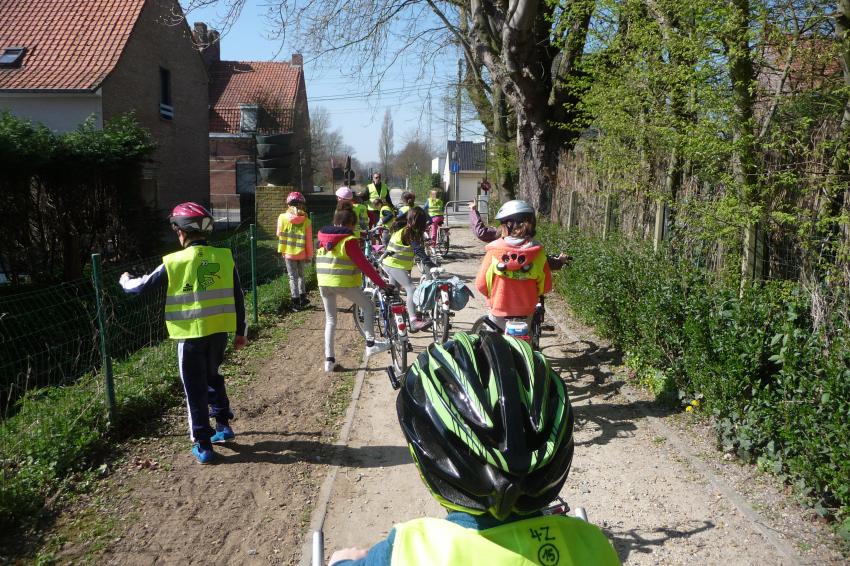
[[254, 105]]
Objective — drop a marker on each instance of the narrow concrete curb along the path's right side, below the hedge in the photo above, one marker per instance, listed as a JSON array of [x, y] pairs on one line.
[[732, 496]]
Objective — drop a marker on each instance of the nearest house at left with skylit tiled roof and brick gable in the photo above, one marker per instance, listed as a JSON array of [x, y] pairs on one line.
[[65, 61]]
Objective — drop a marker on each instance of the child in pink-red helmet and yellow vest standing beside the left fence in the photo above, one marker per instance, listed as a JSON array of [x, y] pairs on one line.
[[295, 235]]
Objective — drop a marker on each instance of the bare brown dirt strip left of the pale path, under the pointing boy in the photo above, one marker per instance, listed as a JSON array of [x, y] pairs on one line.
[[254, 504]]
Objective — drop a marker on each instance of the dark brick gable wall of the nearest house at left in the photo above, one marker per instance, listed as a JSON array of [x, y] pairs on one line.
[[180, 164]]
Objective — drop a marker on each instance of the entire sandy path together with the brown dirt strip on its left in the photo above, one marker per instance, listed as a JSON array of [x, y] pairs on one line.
[[651, 480]]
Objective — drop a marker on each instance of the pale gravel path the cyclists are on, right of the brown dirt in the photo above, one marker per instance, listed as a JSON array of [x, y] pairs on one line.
[[660, 492]]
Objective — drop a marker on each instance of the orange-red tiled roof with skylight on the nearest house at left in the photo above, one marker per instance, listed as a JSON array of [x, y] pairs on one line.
[[71, 44]]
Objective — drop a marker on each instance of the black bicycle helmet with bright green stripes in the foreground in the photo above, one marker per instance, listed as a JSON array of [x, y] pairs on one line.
[[489, 425]]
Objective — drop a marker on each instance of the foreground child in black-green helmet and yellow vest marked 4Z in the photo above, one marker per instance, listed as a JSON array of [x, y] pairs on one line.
[[490, 427]]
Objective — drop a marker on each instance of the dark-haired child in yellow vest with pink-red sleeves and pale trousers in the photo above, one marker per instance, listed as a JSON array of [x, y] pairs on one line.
[[340, 266]]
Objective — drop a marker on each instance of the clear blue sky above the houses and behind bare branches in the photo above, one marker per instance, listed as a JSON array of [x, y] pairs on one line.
[[355, 113]]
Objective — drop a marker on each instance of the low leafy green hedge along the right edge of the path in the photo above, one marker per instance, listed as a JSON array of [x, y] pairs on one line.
[[778, 391]]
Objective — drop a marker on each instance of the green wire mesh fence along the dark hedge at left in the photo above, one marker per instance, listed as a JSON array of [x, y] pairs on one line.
[[50, 336]]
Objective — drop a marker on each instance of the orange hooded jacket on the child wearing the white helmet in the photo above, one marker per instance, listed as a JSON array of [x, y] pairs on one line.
[[512, 276]]
